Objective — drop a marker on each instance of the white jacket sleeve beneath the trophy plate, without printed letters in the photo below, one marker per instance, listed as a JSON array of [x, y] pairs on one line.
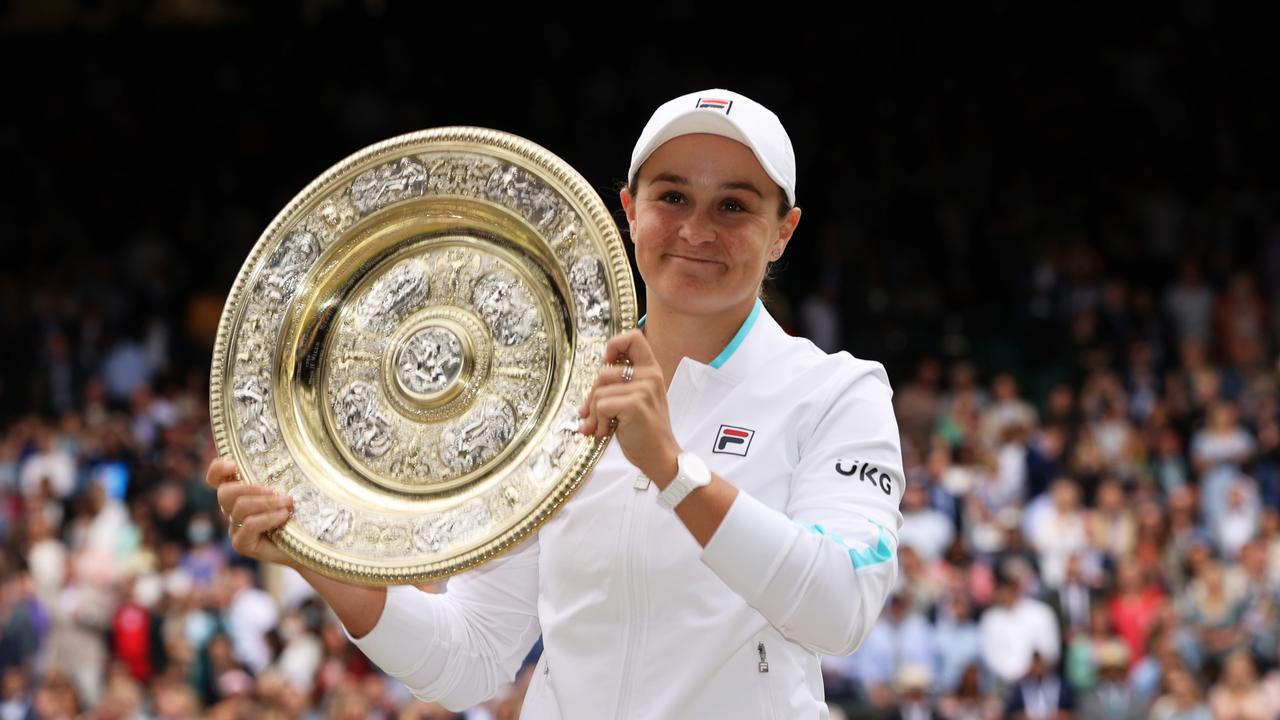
[[463, 646]]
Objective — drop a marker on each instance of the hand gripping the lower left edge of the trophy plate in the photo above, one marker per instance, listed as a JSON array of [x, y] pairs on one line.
[[252, 512]]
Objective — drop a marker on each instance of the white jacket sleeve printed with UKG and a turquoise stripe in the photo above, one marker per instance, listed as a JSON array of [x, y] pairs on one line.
[[822, 571]]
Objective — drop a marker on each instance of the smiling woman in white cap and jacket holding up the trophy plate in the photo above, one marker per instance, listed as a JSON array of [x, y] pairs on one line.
[[781, 546]]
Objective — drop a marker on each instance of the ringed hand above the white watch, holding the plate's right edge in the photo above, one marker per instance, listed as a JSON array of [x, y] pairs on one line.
[[639, 405]]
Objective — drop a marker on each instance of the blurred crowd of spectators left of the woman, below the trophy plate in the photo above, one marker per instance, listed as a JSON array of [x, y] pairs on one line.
[[121, 596]]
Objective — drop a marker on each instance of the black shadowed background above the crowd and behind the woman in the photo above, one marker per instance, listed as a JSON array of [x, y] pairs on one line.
[[943, 153]]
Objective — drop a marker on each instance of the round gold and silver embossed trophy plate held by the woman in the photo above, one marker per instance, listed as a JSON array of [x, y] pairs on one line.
[[406, 347]]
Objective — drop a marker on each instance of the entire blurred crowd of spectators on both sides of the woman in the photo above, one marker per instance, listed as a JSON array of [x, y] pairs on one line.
[[1109, 548]]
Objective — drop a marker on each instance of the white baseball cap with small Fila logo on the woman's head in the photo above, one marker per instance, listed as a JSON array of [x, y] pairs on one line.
[[726, 113]]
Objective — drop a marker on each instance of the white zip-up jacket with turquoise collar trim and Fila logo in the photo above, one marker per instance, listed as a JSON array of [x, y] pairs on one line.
[[637, 619]]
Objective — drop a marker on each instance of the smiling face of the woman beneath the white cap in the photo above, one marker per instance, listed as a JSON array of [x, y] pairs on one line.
[[706, 224]]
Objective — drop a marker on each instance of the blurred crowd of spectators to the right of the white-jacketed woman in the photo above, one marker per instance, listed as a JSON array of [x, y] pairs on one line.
[[1110, 549]]
